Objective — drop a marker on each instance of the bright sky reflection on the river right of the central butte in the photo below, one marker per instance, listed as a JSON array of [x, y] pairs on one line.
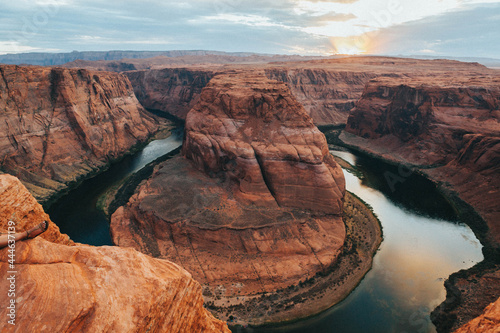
[[406, 282]]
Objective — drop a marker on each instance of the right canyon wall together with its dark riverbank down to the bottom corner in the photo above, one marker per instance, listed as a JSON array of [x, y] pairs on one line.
[[449, 132]]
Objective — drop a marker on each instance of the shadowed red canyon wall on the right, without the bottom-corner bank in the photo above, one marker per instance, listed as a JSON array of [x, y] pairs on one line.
[[450, 131]]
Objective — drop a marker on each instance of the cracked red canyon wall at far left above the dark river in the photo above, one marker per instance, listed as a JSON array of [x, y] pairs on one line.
[[58, 125]]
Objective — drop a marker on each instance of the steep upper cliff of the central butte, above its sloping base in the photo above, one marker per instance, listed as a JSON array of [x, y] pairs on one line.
[[255, 132]]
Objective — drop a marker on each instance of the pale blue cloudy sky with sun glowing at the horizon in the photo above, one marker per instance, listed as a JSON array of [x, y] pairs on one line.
[[460, 28]]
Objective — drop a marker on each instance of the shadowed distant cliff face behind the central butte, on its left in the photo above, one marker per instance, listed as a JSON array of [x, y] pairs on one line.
[[174, 91]]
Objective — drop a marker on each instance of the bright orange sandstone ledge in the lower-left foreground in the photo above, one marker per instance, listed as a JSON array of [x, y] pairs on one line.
[[61, 288]]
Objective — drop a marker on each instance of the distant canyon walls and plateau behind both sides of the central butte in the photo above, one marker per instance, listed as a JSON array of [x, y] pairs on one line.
[[327, 88]]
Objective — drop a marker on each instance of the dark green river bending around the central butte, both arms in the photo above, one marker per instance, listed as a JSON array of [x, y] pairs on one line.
[[423, 244]]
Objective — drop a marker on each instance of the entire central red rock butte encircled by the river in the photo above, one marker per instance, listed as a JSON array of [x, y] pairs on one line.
[[255, 206]]
